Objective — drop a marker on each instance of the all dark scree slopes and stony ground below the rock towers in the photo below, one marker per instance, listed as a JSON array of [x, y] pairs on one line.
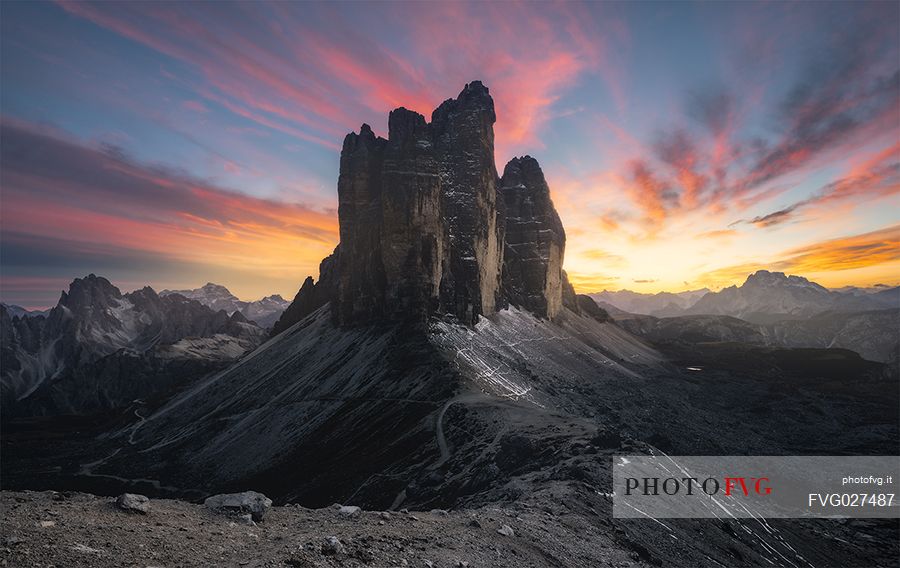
[[513, 422]]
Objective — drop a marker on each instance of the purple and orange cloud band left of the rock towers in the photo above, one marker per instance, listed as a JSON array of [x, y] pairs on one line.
[[80, 200]]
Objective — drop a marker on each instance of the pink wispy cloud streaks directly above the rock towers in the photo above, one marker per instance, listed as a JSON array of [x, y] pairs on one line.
[[286, 71]]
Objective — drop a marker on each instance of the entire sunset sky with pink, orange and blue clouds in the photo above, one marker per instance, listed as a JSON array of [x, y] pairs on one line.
[[685, 144]]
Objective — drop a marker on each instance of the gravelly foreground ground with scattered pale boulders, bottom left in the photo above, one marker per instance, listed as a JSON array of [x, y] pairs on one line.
[[78, 529]]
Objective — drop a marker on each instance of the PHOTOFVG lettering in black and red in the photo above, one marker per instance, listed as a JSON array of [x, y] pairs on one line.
[[729, 485]]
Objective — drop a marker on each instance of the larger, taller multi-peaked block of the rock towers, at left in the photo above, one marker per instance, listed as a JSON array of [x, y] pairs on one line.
[[418, 216]]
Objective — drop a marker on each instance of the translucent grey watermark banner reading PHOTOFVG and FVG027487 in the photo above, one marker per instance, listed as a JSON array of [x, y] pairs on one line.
[[666, 487]]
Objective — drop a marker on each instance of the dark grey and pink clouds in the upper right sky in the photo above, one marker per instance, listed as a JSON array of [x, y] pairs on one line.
[[712, 156]]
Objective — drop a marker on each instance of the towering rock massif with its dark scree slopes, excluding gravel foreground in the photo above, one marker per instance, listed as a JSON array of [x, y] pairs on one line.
[[442, 359]]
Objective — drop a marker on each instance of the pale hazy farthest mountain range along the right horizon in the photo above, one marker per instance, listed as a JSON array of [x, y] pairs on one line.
[[765, 297]]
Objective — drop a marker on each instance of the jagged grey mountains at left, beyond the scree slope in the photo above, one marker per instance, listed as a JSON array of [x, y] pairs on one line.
[[99, 348]]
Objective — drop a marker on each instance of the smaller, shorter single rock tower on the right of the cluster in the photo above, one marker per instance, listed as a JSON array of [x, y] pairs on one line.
[[535, 240]]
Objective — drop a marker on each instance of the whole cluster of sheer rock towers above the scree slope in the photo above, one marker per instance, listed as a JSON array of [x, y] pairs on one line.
[[423, 223]]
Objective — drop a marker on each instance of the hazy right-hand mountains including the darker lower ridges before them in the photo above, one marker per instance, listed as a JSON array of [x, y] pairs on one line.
[[769, 309]]
